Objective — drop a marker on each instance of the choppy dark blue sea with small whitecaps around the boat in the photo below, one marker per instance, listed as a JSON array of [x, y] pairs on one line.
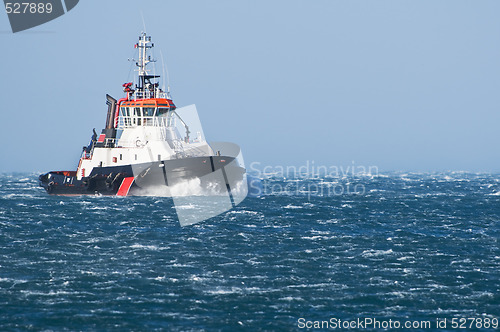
[[399, 247]]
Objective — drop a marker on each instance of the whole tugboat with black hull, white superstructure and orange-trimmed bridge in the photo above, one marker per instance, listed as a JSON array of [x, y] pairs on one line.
[[147, 147]]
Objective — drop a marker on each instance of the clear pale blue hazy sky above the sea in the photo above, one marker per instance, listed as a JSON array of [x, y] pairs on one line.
[[403, 85]]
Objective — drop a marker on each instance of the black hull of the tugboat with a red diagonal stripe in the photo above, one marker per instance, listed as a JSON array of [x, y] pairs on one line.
[[156, 178]]
